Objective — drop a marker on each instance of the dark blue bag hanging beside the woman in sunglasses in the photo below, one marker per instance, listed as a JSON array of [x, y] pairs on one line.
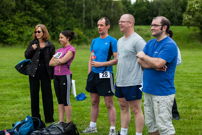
[[21, 67]]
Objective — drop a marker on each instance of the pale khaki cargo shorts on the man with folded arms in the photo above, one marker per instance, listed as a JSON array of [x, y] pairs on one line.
[[158, 113]]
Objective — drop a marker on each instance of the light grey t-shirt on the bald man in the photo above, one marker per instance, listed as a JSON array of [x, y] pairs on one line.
[[129, 71]]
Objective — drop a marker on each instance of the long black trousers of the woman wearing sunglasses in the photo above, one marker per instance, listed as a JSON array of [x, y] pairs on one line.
[[41, 78]]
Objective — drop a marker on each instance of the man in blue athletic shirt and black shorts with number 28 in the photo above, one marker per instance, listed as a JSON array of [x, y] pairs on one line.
[[100, 75]]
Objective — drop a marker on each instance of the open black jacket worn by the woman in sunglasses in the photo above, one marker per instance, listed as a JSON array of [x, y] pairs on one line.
[[32, 54]]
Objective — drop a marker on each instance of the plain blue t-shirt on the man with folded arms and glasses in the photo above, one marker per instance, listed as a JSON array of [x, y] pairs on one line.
[[161, 83]]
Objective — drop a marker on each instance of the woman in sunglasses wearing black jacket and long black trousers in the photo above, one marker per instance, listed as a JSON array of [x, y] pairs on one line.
[[40, 51]]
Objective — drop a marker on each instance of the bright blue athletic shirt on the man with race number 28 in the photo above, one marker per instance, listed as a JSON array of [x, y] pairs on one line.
[[101, 49]]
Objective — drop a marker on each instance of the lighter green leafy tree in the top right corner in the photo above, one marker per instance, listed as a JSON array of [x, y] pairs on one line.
[[193, 16]]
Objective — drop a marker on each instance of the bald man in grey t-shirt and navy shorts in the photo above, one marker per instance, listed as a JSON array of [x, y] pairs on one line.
[[129, 74]]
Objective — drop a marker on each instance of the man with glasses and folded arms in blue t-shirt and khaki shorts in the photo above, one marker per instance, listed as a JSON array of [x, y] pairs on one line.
[[159, 60]]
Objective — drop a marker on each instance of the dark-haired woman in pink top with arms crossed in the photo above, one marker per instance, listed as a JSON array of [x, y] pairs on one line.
[[61, 62]]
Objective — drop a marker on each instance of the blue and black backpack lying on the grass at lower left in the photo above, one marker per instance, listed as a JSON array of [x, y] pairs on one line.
[[28, 125]]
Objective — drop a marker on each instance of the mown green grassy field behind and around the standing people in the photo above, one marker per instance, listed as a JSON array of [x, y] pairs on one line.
[[15, 95]]
